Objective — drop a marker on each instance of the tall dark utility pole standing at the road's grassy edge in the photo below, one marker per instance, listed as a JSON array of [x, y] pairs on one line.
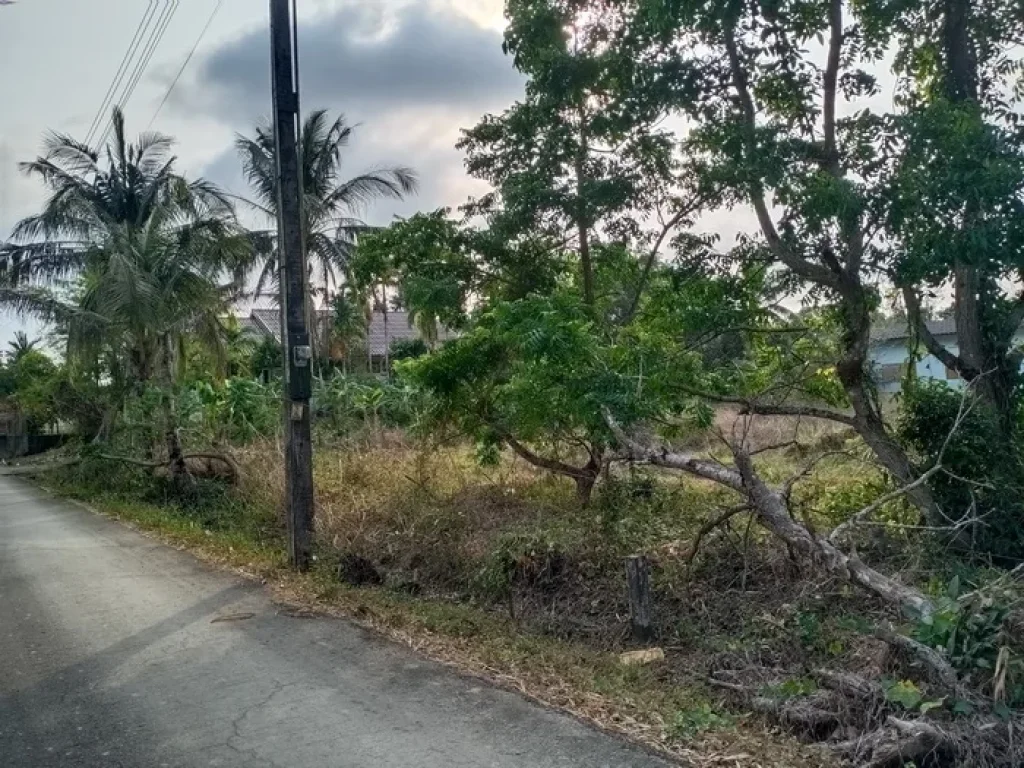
[[291, 249]]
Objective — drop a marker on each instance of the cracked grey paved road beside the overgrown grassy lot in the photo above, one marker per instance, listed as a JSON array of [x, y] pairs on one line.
[[119, 653]]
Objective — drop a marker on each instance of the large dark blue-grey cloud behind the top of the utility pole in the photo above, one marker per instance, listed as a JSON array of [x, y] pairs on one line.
[[365, 61]]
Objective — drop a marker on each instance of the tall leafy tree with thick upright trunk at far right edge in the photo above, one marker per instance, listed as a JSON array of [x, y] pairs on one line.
[[956, 203]]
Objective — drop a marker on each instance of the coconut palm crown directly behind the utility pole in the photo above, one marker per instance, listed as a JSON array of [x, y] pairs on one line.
[[331, 203]]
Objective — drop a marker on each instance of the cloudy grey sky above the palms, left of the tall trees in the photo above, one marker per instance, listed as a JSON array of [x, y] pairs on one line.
[[410, 74]]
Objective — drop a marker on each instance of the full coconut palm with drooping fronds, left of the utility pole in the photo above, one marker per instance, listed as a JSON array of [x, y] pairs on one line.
[[144, 259]]
